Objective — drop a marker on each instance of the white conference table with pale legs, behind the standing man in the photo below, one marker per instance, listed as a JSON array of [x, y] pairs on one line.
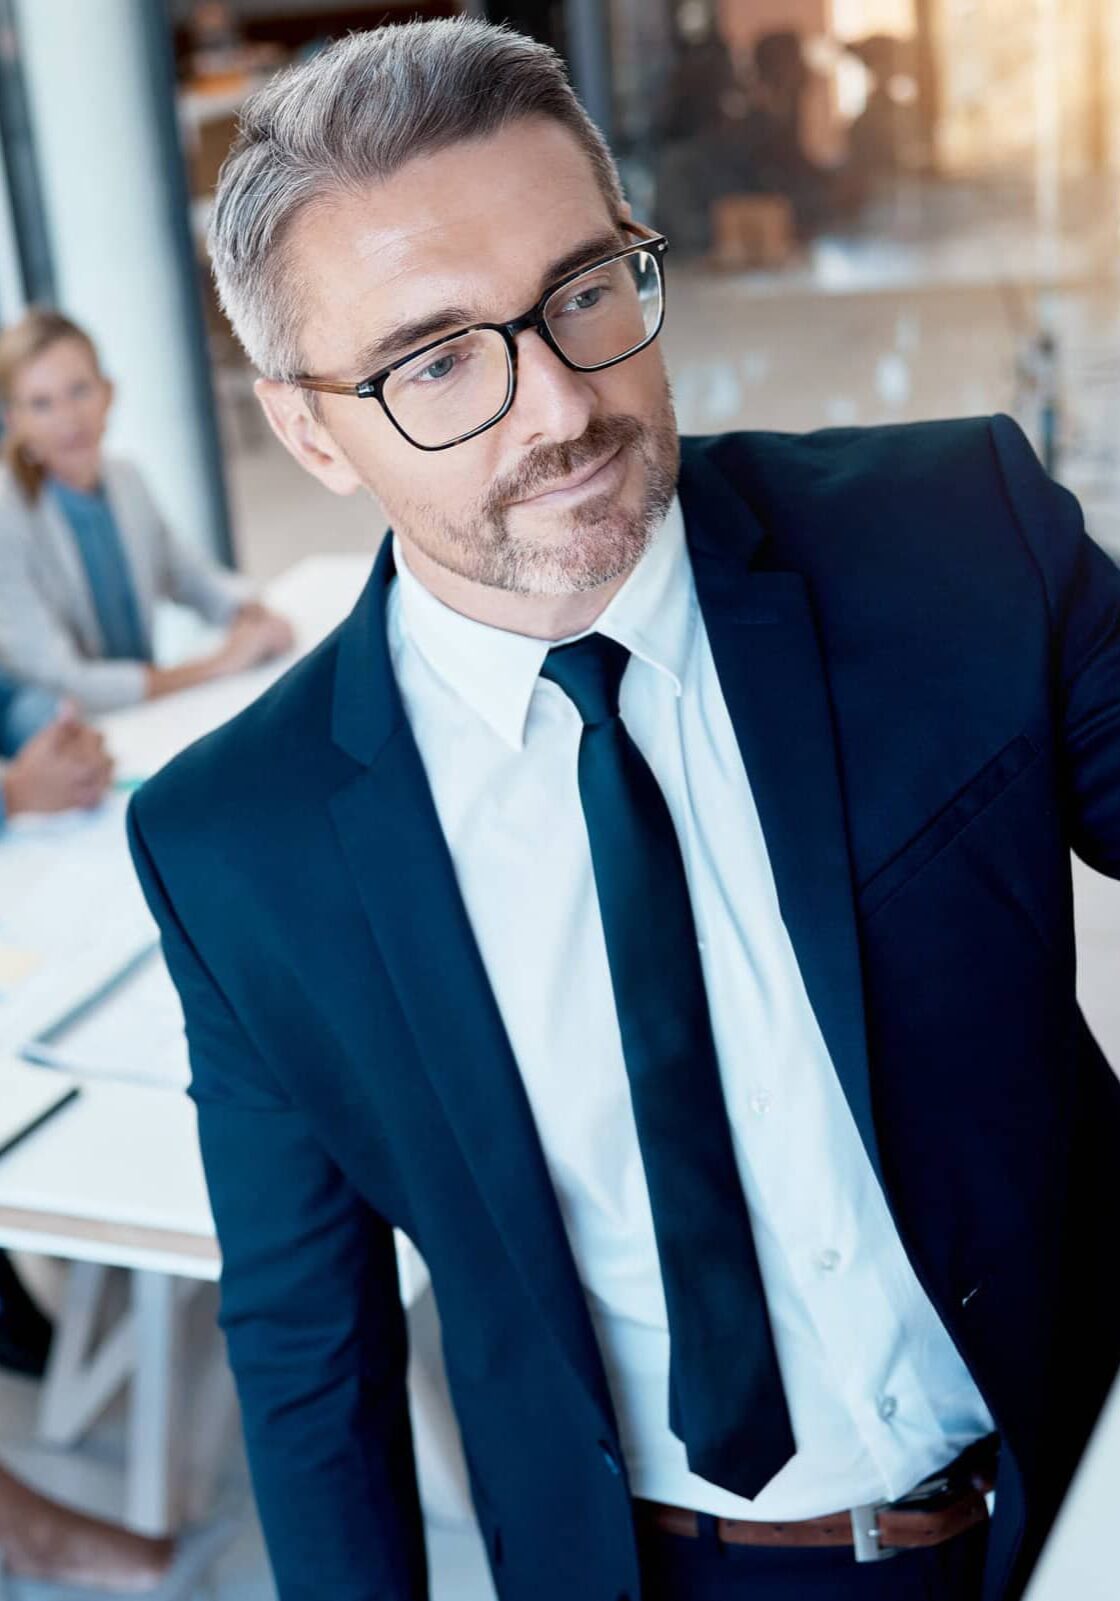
[[116, 1179]]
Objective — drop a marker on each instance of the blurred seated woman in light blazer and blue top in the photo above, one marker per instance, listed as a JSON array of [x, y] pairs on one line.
[[84, 552]]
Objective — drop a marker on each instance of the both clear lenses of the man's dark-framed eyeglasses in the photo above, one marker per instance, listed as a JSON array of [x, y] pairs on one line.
[[462, 385]]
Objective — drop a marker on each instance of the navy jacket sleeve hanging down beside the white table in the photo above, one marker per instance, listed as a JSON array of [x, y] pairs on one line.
[[311, 1310]]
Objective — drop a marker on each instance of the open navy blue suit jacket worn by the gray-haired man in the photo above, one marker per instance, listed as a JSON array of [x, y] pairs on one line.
[[921, 654]]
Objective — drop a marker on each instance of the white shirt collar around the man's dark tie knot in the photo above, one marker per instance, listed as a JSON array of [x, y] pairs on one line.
[[497, 672]]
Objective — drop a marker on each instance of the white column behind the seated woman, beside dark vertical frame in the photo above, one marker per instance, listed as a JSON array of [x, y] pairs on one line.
[[113, 235]]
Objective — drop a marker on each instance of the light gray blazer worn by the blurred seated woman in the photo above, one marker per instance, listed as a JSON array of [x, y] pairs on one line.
[[49, 627]]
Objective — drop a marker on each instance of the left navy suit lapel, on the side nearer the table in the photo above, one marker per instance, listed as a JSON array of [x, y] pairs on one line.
[[404, 873]]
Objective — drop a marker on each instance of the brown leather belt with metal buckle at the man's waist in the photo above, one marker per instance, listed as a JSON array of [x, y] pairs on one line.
[[942, 1509]]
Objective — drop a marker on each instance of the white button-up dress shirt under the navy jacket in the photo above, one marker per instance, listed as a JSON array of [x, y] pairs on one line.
[[878, 1394]]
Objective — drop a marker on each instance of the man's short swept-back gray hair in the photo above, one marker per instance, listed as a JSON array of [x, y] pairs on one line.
[[353, 118]]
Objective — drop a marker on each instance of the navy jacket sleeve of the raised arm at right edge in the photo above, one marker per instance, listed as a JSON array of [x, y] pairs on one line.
[[1082, 587]]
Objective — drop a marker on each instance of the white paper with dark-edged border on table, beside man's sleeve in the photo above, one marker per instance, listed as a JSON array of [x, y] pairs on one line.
[[135, 1032]]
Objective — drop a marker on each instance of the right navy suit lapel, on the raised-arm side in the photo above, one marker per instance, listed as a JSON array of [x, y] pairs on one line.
[[767, 656]]
